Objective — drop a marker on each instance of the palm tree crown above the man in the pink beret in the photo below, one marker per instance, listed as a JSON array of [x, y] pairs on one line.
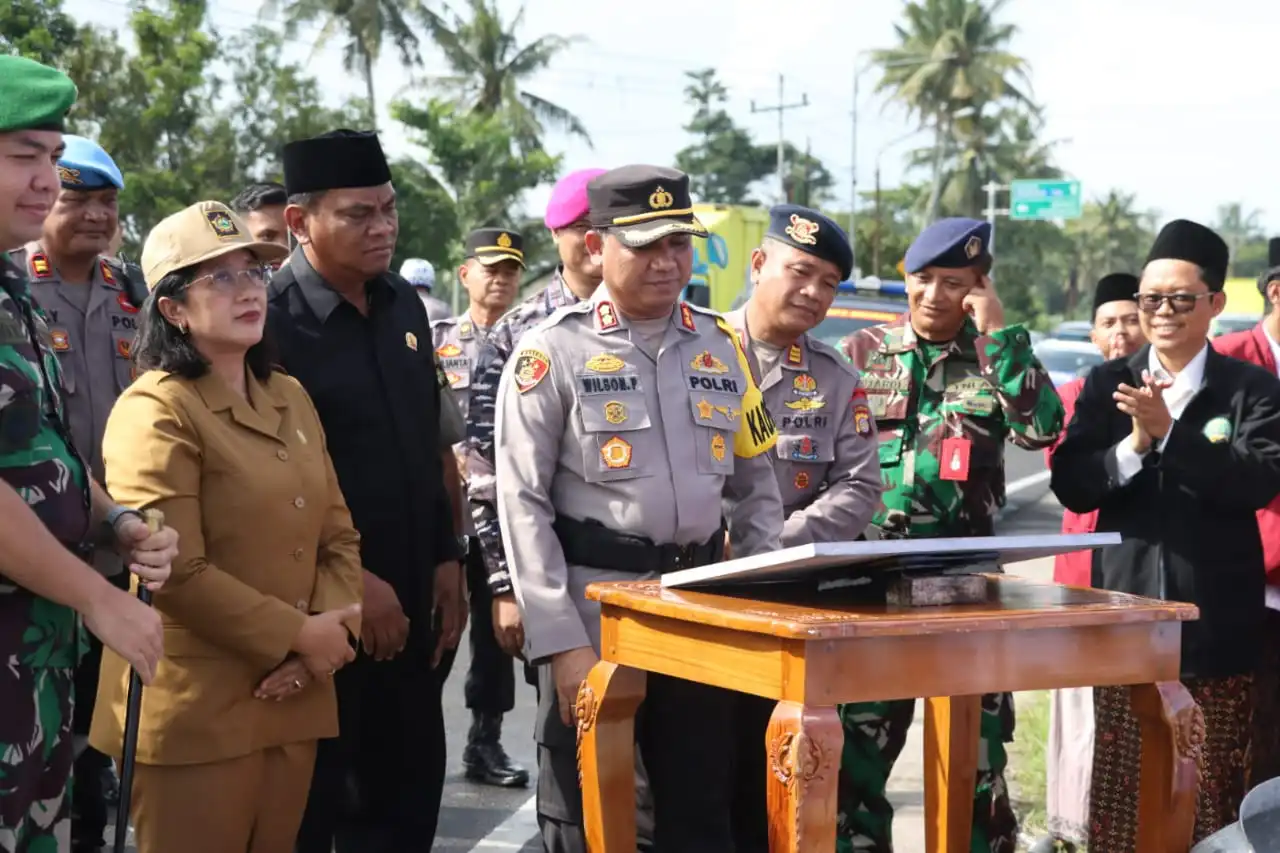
[[491, 69]]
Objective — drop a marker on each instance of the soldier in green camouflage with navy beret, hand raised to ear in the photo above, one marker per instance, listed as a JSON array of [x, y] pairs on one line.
[[948, 385]]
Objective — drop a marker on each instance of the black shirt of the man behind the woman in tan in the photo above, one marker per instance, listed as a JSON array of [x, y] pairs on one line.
[[374, 382]]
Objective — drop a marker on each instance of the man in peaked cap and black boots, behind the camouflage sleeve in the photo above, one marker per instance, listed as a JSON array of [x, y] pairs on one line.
[[491, 275]]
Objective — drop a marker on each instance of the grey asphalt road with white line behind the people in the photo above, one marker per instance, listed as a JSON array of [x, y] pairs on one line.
[[488, 820]]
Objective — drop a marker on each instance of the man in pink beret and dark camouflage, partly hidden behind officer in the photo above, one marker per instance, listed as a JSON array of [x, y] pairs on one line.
[[575, 280]]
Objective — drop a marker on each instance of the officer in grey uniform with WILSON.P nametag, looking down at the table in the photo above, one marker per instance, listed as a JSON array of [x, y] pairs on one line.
[[610, 467]]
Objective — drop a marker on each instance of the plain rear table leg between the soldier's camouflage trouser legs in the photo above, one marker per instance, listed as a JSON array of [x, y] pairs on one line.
[[952, 728]]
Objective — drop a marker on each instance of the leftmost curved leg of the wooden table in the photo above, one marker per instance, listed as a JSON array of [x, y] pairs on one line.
[[606, 711]]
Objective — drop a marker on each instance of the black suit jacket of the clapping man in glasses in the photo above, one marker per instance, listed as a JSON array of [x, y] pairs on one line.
[[1188, 518]]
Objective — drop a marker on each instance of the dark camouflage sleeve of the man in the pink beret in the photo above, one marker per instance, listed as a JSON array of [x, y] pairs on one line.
[[481, 457]]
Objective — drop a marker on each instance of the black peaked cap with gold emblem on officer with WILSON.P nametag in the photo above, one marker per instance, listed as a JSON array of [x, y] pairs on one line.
[[642, 204]]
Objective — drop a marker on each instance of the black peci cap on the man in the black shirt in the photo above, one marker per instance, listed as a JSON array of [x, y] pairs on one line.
[[335, 161]]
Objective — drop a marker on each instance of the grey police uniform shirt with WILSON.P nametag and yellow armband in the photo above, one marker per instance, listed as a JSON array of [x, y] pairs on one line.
[[592, 428]]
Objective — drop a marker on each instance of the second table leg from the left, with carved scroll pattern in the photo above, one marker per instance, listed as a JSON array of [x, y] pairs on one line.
[[804, 747]]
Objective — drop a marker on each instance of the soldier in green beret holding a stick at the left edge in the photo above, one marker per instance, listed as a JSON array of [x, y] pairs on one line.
[[51, 507]]
